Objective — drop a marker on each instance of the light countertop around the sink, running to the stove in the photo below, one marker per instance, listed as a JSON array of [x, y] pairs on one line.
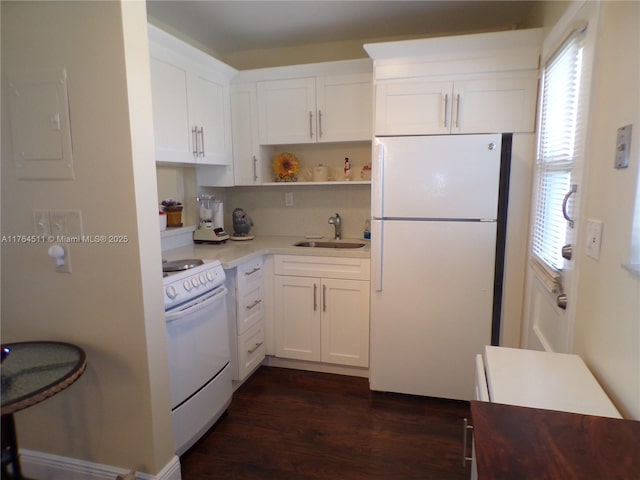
[[233, 253]]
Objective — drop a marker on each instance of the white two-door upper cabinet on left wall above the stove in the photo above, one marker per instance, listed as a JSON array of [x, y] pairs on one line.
[[191, 103]]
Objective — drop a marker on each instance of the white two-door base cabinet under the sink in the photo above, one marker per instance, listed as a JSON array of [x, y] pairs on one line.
[[322, 309]]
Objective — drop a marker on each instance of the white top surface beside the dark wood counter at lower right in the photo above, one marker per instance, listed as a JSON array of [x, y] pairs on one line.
[[553, 381]]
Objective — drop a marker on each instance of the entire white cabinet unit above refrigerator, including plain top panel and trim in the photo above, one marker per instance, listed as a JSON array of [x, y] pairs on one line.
[[483, 83]]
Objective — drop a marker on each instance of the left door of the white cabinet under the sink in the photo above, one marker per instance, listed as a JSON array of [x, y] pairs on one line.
[[297, 317]]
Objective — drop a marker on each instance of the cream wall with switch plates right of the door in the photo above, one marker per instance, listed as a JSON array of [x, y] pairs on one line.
[[607, 326]]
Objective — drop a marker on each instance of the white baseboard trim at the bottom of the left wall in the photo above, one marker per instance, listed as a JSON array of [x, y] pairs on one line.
[[54, 467]]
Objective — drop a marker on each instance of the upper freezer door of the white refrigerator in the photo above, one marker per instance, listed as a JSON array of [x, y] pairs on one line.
[[443, 176]]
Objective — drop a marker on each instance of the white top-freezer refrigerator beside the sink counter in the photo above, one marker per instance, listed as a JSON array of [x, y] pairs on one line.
[[434, 225]]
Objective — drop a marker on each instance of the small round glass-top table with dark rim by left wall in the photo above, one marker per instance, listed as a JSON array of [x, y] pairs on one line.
[[30, 373]]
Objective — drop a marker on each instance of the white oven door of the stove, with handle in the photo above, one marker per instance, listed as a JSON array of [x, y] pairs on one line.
[[198, 343]]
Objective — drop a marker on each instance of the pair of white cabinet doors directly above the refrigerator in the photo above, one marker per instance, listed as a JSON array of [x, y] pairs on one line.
[[487, 104]]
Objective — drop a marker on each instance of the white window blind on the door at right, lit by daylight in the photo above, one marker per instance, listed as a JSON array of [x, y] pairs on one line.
[[559, 143]]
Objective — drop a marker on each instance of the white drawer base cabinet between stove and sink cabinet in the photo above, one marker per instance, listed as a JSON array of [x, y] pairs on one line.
[[247, 317]]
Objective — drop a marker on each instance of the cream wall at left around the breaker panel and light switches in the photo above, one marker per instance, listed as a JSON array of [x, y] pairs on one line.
[[118, 412]]
